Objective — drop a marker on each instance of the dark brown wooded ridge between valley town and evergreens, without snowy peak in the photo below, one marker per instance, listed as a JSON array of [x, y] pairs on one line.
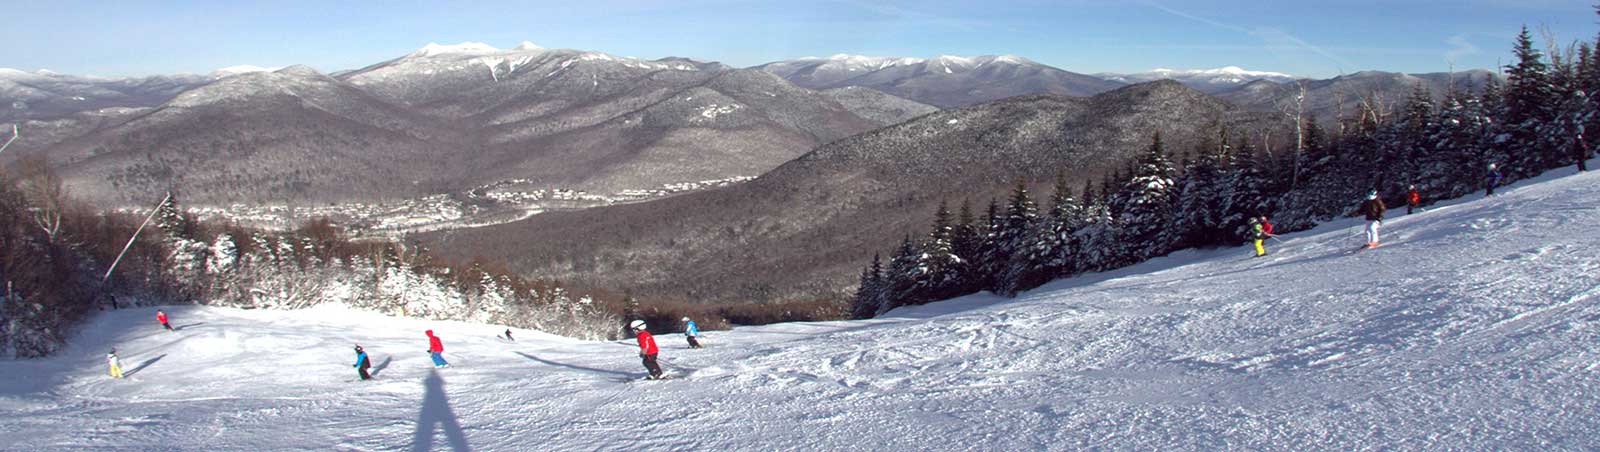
[[804, 230]]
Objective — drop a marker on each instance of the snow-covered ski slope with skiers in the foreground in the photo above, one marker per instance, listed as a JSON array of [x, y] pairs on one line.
[[1474, 328]]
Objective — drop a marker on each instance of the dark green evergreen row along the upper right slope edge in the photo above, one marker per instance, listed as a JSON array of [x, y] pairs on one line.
[[1442, 145]]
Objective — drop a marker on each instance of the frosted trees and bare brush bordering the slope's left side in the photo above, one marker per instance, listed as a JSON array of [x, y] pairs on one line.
[[55, 257]]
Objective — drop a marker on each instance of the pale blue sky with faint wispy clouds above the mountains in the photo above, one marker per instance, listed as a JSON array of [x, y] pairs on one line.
[[1316, 38]]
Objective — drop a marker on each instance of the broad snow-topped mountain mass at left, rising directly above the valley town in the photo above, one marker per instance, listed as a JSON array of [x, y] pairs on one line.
[[446, 119]]
